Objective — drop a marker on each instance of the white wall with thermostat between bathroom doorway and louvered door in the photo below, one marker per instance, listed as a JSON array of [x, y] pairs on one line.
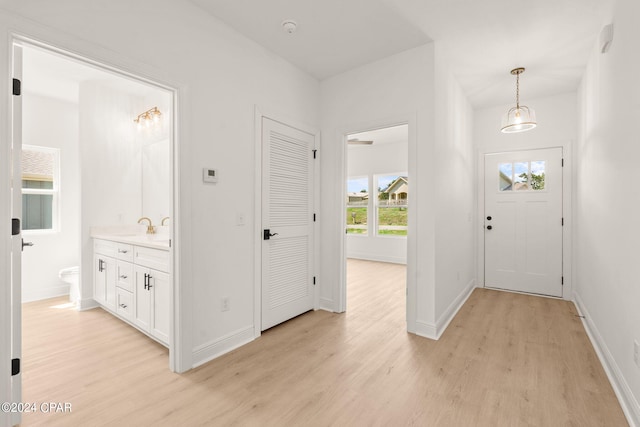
[[221, 76]]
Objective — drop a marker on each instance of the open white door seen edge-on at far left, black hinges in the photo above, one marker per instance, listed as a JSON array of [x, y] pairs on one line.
[[16, 239]]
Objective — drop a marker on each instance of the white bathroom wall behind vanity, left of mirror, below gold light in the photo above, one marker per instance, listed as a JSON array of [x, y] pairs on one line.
[[111, 188]]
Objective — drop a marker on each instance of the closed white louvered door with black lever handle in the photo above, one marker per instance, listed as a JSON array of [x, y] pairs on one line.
[[287, 222]]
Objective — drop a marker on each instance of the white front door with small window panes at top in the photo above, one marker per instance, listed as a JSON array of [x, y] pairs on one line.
[[523, 221]]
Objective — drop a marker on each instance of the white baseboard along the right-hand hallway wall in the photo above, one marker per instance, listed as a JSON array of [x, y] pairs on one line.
[[627, 400]]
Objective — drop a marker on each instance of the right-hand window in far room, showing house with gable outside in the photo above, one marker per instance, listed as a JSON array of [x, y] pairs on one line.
[[393, 202]]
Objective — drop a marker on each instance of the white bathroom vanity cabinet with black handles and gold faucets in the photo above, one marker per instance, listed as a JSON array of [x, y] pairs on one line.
[[133, 283]]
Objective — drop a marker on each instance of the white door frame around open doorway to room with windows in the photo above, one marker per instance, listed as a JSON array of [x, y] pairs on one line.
[[411, 279]]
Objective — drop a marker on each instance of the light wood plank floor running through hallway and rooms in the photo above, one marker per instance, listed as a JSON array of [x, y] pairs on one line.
[[506, 359]]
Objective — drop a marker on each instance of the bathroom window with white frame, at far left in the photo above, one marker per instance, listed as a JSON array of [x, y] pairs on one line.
[[40, 188]]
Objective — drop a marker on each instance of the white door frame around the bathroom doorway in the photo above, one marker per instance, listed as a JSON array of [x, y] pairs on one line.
[[179, 349]]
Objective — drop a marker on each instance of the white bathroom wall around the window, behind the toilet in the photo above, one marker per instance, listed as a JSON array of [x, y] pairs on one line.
[[49, 122]]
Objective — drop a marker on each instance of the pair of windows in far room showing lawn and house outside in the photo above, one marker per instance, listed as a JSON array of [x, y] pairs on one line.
[[389, 205]]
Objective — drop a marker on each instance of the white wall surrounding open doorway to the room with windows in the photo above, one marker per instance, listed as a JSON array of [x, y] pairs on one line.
[[395, 90]]
